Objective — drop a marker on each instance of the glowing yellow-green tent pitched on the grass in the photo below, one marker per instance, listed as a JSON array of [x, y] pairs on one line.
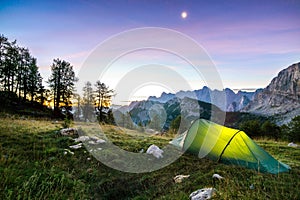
[[230, 146]]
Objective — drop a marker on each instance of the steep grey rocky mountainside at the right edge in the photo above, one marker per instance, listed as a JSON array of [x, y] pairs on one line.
[[281, 98]]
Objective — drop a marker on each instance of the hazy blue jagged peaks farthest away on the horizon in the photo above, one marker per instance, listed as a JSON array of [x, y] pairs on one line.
[[226, 99]]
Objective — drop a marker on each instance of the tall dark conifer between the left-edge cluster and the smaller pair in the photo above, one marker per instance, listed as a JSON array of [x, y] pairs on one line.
[[61, 82]]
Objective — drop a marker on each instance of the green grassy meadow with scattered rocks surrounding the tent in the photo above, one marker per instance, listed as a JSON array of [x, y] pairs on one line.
[[33, 166]]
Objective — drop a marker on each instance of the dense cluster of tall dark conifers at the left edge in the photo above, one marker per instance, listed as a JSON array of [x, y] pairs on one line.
[[18, 70]]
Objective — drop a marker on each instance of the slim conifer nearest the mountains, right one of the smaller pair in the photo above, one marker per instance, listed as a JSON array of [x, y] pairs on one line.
[[103, 97]]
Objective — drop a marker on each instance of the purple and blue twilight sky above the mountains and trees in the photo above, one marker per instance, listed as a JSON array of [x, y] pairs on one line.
[[248, 42]]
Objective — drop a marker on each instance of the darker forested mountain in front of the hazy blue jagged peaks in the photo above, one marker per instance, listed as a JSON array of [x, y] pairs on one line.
[[157, 115]]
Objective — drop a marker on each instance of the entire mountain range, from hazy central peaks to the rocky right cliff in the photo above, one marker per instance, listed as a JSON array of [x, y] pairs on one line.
[[281, 99]]
